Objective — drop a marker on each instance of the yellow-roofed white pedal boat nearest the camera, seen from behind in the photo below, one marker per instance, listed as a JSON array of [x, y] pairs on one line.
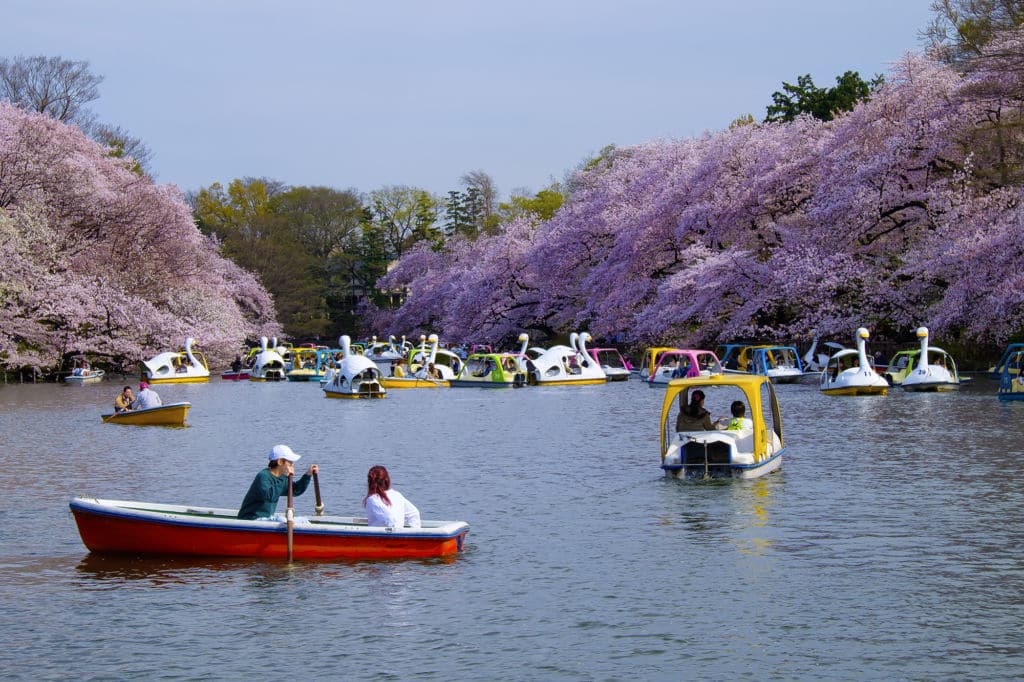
[[747, 453]]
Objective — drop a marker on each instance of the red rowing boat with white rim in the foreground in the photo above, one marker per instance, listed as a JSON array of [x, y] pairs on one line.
[[150, 529]]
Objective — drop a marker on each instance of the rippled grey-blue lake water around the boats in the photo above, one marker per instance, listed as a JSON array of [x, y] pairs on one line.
[[889, 546]]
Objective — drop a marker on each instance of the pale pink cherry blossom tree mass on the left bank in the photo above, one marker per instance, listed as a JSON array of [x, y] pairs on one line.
[[101, 261]]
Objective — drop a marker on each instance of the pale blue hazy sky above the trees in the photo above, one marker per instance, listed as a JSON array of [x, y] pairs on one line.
[[367, 95]]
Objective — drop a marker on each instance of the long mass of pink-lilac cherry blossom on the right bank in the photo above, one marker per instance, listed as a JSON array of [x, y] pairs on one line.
[[887, 217]]
